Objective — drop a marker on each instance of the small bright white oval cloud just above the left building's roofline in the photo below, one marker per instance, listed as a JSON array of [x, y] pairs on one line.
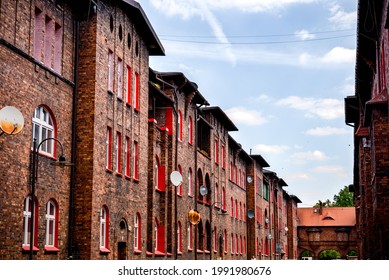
[[244, 116]]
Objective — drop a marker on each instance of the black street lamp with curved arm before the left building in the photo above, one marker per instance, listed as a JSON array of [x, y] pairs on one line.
[[61, 162]]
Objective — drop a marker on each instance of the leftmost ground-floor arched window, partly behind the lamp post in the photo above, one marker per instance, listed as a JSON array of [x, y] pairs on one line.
[[27, 225]]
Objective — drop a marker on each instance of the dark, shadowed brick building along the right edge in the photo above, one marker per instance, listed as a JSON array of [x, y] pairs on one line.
[[367, 112]]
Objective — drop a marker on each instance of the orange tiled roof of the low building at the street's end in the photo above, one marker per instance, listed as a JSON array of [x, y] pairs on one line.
[[330, 216]]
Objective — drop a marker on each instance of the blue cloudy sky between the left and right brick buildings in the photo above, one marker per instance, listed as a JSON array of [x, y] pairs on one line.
[[280, 70]]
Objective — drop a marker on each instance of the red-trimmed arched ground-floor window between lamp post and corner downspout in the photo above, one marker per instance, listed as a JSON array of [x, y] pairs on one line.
[[51, 225]]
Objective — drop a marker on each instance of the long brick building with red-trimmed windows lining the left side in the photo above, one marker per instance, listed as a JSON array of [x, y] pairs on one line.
[[79, 73]]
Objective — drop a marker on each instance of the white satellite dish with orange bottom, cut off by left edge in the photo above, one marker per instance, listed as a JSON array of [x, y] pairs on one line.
[[11, 120]]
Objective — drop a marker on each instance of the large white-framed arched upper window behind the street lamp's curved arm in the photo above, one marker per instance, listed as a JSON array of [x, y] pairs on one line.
[[42, 128]]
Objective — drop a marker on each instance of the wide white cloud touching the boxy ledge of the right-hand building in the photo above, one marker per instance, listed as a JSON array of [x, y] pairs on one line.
[[327, 109]]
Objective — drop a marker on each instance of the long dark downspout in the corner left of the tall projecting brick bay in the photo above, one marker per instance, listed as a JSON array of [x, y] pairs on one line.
[[74, 147]]
